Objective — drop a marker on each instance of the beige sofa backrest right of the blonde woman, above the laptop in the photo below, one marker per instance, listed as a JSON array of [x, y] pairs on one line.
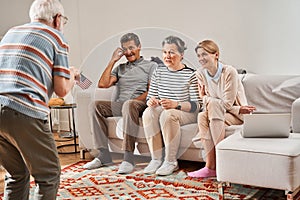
[[271, 93]]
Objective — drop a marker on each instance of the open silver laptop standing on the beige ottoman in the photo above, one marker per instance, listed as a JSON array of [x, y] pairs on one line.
[[275, 125]]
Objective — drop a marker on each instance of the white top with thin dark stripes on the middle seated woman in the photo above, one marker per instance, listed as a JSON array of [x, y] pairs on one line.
[[178, 85]]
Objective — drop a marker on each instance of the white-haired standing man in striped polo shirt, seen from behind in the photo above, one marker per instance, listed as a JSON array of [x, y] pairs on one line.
[[33, 65]]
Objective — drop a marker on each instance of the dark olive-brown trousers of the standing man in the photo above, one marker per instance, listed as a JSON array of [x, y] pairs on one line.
[[27, 147]]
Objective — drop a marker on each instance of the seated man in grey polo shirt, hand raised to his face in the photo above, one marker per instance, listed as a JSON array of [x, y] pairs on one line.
[[132, 79]]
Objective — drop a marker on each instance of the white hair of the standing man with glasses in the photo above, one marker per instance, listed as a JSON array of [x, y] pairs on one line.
[[45, 10]]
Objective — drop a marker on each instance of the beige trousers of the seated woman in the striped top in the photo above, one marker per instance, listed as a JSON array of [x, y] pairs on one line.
[[162, 130]]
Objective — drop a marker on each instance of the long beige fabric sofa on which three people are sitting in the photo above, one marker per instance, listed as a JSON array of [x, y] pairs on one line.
[[261, 90]]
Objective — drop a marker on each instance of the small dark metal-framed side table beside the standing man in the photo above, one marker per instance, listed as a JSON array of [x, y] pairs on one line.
[[71, 110]]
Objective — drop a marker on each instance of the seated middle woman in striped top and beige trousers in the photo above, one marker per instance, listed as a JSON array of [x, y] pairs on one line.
[[173, 100]]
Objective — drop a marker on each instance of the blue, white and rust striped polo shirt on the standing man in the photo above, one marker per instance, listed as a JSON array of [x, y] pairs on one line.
[[30, 56]]
